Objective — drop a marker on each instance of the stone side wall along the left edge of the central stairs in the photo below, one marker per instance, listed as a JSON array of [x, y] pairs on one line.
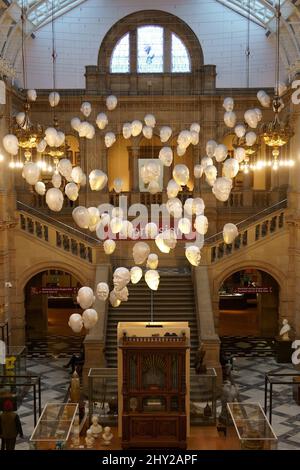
[[94, 342]]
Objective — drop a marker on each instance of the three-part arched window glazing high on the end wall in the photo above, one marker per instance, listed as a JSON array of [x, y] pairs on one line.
[[151, 50]]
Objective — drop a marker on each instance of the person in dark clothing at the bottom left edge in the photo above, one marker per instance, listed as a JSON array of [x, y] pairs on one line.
[[10, 426]]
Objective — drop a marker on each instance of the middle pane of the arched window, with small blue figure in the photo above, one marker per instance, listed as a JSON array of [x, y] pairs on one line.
[[150, 56]]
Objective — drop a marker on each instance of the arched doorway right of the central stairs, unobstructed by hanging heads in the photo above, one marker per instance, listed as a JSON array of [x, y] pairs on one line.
[[248, 304]]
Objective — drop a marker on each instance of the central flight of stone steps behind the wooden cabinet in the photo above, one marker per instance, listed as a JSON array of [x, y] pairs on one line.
[[173, 301]]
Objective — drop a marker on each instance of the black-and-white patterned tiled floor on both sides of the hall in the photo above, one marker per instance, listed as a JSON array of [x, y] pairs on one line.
[[248, 374]]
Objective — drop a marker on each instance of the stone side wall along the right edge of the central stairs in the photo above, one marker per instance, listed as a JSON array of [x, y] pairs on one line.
[[206, 327]]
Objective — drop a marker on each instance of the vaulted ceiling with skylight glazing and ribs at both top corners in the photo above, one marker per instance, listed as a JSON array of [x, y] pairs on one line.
[[40, 12]]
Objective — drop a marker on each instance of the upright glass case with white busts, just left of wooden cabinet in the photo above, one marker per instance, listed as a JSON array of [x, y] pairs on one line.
[[103, 395]]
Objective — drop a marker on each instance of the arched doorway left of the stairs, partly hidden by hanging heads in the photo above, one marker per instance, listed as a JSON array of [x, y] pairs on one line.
[[50, 298]]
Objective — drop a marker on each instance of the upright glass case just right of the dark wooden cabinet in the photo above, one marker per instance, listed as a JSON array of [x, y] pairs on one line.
[[203, 406]]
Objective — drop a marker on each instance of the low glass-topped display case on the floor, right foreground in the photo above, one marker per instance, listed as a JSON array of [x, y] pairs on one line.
[[252, 427]]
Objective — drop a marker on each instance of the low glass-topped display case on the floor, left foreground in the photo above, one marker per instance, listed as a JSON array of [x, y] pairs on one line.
[[54, 427]]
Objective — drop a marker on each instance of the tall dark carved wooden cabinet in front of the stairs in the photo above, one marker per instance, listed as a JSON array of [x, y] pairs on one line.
[[154, 391]]
